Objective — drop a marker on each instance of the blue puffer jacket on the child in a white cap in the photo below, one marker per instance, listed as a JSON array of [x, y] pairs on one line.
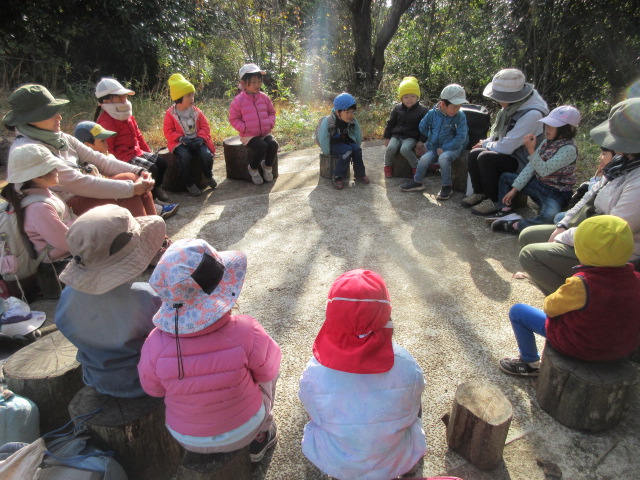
[[443, 131]]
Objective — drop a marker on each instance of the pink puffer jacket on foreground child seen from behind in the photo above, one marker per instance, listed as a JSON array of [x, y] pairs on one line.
[[222, 367]]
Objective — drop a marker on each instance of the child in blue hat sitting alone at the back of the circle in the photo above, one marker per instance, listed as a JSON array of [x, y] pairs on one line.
[[339, 135]]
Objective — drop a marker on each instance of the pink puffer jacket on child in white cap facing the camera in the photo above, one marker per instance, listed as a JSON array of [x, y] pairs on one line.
[[252, 115]]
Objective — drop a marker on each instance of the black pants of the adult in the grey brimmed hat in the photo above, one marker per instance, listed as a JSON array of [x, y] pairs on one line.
[[485, 168]]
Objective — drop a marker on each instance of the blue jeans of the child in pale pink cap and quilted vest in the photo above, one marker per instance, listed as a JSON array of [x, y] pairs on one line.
[[550, 200]]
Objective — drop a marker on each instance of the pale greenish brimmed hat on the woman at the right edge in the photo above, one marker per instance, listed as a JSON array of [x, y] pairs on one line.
[[621, 132]]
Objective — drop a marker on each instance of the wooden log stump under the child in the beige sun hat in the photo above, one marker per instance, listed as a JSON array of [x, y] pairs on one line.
[[132, 427]]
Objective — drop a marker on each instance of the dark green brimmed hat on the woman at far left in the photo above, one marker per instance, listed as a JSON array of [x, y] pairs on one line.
[[31, 103]]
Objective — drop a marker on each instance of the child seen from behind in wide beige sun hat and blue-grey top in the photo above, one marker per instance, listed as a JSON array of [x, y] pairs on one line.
[[102, 310]]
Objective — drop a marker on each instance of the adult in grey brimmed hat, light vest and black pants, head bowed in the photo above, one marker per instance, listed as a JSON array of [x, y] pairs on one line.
[[522, 107]]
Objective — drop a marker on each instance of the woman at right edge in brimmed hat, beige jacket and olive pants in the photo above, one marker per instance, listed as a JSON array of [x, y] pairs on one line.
[[548, 255]]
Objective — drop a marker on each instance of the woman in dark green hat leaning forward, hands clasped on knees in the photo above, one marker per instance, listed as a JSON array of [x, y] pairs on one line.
[[35, 116]]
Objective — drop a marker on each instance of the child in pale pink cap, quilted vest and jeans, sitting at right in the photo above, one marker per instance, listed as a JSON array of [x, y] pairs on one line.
[[549, 176]]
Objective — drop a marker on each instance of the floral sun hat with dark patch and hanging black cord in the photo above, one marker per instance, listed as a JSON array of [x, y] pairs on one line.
[[197, 284]]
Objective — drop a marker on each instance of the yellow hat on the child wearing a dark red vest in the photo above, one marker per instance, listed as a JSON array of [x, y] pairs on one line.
[[603, 241]]
